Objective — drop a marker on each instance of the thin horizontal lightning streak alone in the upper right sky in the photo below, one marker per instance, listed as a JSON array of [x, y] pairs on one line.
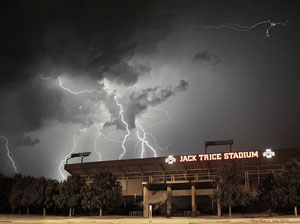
[[241, 28]]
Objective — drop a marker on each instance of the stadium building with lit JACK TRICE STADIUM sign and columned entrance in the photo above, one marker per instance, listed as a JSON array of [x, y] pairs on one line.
[[183, 184]]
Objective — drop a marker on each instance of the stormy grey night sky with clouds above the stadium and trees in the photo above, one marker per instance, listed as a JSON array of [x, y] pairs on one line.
[[180, 81]]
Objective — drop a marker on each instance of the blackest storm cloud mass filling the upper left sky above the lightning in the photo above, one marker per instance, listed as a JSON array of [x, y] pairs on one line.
[[78, 37]]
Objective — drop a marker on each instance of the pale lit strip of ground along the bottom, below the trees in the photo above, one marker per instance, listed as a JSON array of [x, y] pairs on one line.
[[23, 219]]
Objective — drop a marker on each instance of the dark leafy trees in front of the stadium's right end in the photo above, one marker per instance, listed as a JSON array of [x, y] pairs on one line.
[[275, 192]]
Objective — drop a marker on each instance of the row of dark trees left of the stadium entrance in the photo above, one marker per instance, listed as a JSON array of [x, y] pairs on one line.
[[25, 192]]
